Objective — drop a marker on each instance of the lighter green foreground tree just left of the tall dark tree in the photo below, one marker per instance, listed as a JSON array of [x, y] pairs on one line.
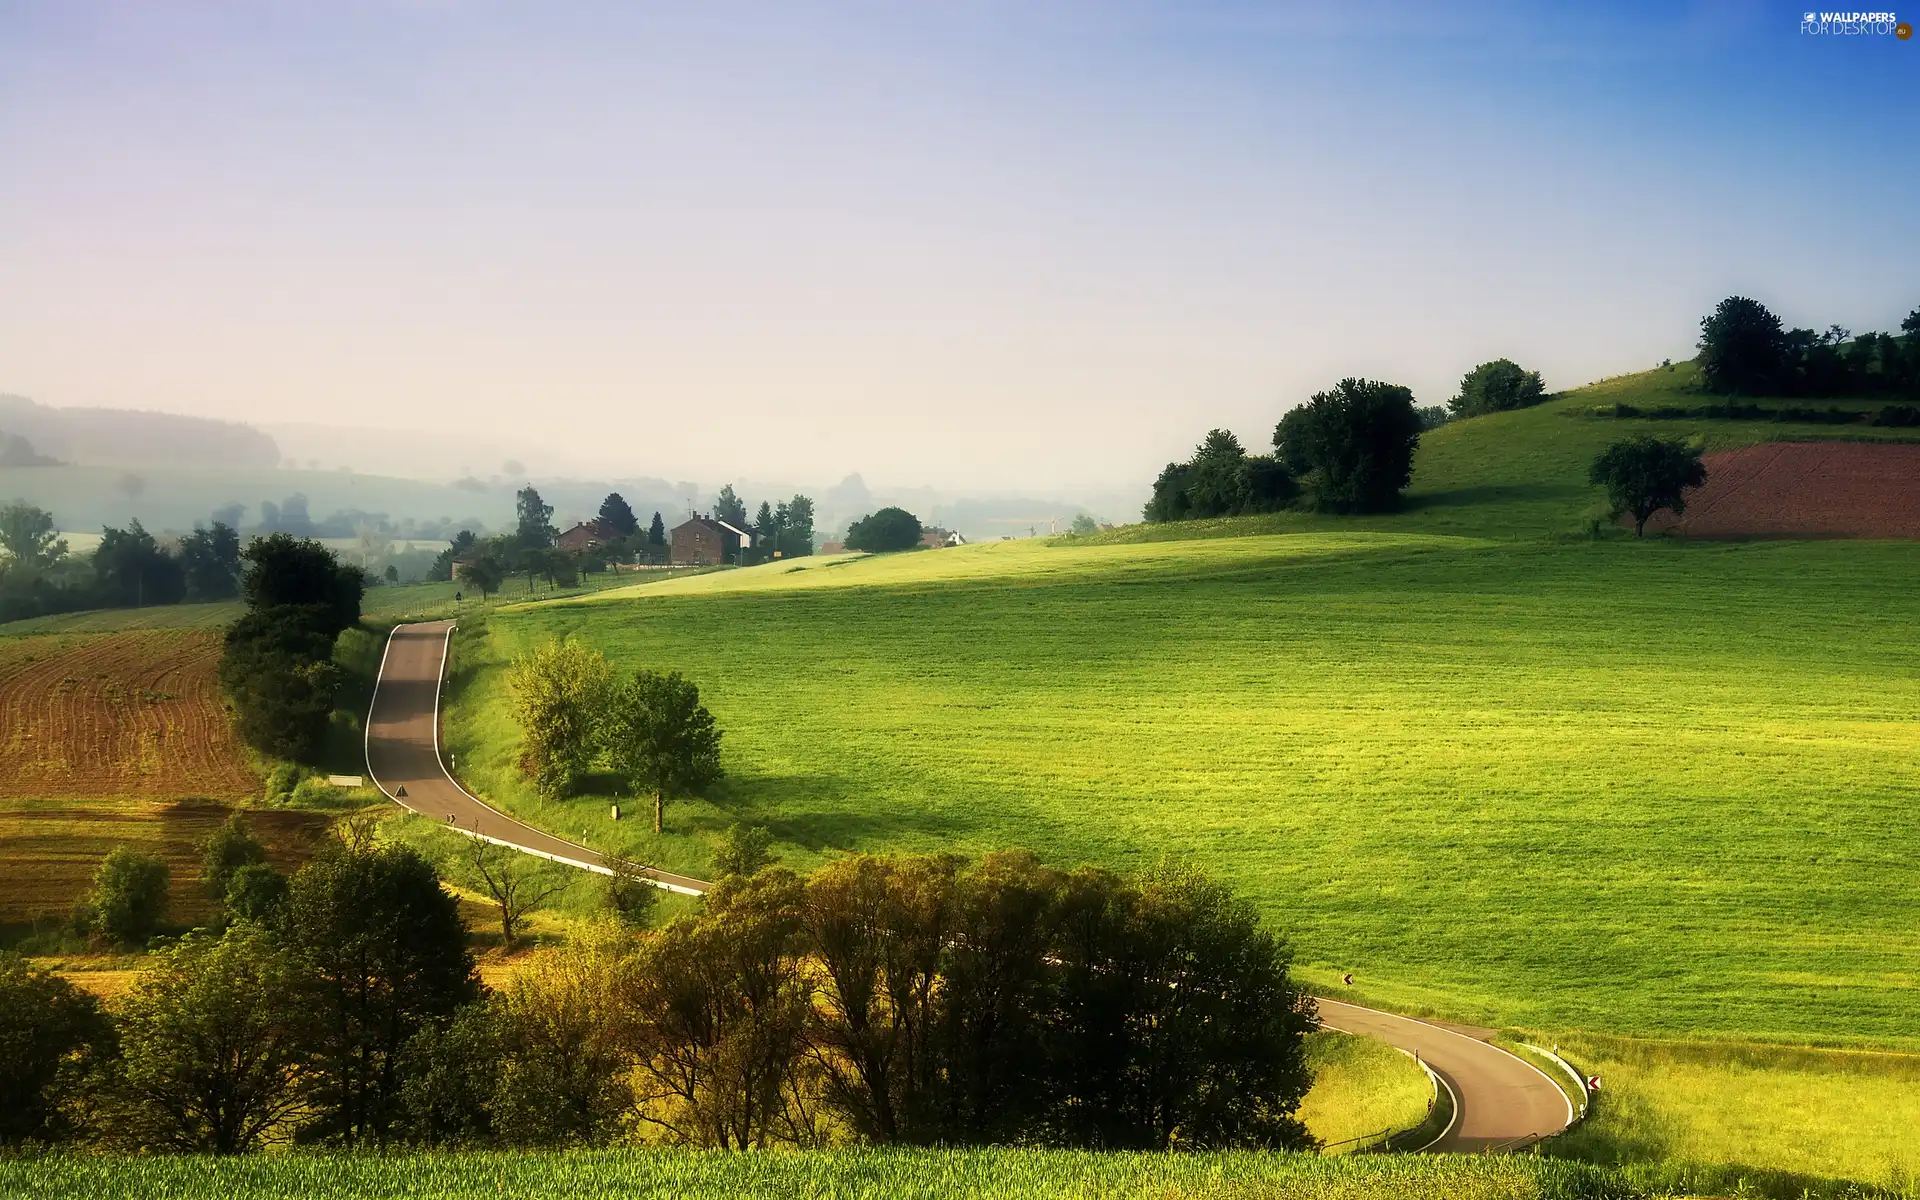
[[214, 1047]]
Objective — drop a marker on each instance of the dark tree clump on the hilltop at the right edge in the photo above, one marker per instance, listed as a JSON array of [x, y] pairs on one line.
[[1744, 350]]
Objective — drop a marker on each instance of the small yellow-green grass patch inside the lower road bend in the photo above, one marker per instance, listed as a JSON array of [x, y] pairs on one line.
[[1362, 1090]]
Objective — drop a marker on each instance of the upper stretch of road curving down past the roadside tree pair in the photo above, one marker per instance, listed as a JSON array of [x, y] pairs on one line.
[[404, 756]]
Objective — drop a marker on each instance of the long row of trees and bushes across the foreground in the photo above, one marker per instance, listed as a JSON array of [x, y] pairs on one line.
[[882, 1001]]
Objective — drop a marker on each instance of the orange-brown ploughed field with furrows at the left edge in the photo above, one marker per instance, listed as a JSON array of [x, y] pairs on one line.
[[118, 715]]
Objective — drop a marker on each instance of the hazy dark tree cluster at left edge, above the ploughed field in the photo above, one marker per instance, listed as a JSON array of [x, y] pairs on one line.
[[130, 569]]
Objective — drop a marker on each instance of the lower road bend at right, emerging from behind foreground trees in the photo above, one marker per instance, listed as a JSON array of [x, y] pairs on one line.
[[1502, 1103]]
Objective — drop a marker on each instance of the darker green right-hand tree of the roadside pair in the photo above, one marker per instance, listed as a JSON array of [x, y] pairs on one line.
[[663, 740]]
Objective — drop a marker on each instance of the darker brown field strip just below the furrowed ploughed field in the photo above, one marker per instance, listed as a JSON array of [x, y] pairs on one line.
[[49, 850]]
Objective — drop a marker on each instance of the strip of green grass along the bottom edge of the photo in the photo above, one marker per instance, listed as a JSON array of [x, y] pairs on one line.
[[842, 1176]]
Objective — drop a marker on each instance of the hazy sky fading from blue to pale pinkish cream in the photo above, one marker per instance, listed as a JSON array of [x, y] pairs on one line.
[[965, 245]]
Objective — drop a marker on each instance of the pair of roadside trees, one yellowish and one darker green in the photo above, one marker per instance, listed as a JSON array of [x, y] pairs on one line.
[[650, 729]]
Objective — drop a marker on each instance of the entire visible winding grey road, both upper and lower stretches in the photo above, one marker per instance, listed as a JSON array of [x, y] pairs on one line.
[[1500, 1103]]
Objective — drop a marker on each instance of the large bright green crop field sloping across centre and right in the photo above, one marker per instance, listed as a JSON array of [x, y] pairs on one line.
[[1614, 786]]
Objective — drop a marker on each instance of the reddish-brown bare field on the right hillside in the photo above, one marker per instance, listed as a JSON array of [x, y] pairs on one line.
[[1806, 491]]
